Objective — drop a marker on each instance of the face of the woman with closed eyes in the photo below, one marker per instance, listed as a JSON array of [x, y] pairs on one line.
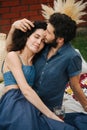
[[36, 40]]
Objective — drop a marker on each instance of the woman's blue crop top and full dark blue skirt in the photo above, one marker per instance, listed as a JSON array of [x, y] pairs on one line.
[[16, 113]]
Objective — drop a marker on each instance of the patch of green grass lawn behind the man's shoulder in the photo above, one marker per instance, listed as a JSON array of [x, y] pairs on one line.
[[80, 42]]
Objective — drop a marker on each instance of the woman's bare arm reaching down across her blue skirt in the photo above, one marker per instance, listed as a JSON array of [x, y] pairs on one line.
[[28, 92]]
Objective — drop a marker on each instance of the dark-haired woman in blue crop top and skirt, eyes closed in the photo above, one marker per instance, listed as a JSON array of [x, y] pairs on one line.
[[20, 106]]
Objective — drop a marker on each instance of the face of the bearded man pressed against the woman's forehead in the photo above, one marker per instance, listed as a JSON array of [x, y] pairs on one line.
[[49, 34]]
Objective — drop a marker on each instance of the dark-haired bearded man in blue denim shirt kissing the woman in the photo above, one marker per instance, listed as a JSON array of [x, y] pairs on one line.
[[58, 63]]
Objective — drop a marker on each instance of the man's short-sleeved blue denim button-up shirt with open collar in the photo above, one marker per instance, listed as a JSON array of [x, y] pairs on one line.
[[53, 74]]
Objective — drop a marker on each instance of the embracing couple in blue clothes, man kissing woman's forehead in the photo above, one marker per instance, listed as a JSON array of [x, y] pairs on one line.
[[28, 76]]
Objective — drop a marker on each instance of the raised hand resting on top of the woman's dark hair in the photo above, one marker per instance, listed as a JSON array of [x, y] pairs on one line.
[[22, 24]]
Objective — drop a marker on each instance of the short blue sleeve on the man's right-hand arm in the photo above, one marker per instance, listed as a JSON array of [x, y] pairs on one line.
[[75, 66]]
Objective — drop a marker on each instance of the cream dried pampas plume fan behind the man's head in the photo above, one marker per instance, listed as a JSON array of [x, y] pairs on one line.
[[73, 9]]
